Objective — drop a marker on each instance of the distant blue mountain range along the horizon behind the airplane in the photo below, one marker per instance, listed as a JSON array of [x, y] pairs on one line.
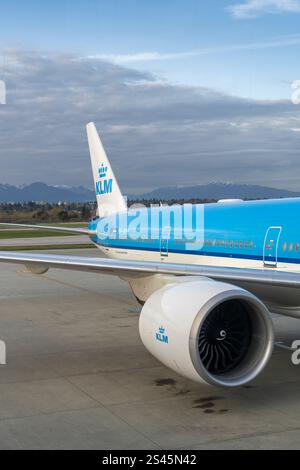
[[43, 192]]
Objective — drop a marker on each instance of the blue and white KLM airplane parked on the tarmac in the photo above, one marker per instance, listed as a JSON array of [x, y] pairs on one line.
[[207, 299]]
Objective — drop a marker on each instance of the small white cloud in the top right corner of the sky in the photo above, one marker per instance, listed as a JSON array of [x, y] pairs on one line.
[[254, 8]]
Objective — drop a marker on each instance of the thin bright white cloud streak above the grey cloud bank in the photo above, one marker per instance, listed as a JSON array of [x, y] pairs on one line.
[[127, 59]]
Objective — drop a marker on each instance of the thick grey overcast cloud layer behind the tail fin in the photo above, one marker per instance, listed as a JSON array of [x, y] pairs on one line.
[[155, 133]]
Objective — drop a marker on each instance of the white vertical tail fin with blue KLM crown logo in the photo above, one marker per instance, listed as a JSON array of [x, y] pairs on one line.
[[108, 194]]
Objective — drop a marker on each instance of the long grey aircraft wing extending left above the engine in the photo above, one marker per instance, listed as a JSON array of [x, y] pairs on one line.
[[39, 263]]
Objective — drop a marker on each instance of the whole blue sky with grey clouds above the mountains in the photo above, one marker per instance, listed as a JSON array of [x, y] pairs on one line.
[[182, 91]]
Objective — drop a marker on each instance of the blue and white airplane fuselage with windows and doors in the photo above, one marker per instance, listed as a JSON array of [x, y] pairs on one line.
[[238, 234]]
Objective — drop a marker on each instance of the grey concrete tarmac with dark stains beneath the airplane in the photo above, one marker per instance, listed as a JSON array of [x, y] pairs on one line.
[[78, 376]]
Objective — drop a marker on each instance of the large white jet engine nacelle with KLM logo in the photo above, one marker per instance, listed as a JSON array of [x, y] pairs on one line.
[[208, 331]]
